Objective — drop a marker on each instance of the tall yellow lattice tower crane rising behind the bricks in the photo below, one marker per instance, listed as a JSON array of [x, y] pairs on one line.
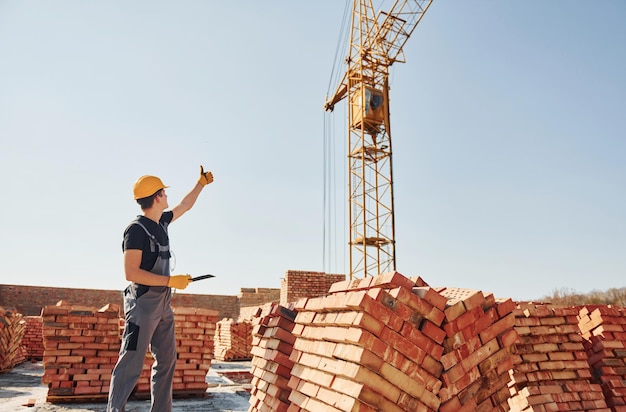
[[376, 42]]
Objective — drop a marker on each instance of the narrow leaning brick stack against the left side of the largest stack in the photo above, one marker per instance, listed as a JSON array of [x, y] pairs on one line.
[[271, 367]]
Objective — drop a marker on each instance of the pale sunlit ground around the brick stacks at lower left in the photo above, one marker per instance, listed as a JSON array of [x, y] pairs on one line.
[[229, 385]]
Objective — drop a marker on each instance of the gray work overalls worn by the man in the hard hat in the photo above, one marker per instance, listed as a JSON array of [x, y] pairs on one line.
[[149, 324]]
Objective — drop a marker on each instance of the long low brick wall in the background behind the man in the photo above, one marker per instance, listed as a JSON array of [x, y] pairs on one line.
[[29, 300]]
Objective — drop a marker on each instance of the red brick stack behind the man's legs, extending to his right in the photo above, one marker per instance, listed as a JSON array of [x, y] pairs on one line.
[[195, 332]]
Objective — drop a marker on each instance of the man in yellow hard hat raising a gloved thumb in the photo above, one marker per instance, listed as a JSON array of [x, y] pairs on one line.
[[149, 319]]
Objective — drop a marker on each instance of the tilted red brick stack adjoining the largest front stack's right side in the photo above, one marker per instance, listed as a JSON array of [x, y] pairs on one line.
[[477, 351]]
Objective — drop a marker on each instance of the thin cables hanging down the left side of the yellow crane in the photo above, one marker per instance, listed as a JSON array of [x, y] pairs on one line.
[[329, 230]]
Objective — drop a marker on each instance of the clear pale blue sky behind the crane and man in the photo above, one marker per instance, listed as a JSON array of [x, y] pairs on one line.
[[508, 121]]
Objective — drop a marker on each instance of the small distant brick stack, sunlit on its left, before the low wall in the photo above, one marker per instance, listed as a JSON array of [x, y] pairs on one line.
[[233, 340]]
